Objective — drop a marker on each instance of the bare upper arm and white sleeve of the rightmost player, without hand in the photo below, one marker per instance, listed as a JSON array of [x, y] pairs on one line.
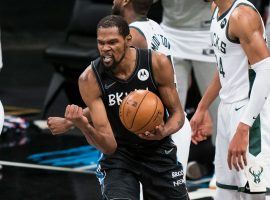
[[253, 43]]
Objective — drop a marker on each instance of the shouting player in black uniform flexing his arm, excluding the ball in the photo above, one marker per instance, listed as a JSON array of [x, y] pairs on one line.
[[128, 159]]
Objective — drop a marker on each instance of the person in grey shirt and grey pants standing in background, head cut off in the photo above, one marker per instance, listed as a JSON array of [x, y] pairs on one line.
[[186, 24]]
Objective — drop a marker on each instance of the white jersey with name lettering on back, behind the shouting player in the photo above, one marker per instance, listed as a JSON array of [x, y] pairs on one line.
[[154, 35]]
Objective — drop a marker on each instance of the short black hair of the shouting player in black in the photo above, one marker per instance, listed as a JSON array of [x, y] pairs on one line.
[[115, 21]]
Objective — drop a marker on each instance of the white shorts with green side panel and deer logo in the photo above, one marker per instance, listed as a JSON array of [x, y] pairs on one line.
[[258, 153]]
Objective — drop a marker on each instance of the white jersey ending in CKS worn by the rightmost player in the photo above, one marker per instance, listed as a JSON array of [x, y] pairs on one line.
[[232, 61]]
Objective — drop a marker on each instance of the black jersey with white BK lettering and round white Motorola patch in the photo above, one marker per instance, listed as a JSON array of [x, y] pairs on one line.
[[114, 91]]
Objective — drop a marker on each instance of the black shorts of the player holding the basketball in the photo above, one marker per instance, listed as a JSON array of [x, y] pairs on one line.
[[156, 168]]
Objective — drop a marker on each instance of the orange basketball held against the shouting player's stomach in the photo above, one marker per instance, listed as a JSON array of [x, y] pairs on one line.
[[141, 111]]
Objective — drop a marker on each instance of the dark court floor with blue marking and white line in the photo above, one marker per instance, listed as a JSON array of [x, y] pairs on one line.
[[58, 167]]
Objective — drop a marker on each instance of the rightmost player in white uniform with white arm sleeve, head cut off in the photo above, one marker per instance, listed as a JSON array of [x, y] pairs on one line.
[[243, 84]]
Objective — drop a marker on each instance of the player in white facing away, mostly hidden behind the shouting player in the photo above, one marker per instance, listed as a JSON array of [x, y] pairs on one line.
[[145, 34]]
